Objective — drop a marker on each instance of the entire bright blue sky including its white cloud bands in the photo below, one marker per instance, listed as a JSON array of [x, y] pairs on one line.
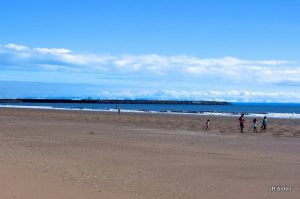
[[232, 50]]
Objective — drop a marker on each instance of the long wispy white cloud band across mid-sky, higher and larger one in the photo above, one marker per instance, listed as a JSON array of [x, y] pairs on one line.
[[19, 57]]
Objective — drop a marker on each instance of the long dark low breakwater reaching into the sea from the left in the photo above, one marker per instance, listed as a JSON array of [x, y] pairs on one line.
[[112, 101]]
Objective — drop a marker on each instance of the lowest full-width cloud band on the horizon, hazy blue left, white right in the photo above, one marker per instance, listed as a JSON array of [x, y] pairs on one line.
[[55, 90]]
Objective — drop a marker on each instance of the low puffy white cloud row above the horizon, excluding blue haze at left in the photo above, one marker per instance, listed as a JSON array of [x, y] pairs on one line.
[[216, 95]]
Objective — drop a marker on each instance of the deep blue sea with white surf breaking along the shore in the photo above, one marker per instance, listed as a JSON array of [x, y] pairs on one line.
[[273, 110]]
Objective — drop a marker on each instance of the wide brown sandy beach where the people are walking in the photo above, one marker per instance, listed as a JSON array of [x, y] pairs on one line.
[[55, 154]]
